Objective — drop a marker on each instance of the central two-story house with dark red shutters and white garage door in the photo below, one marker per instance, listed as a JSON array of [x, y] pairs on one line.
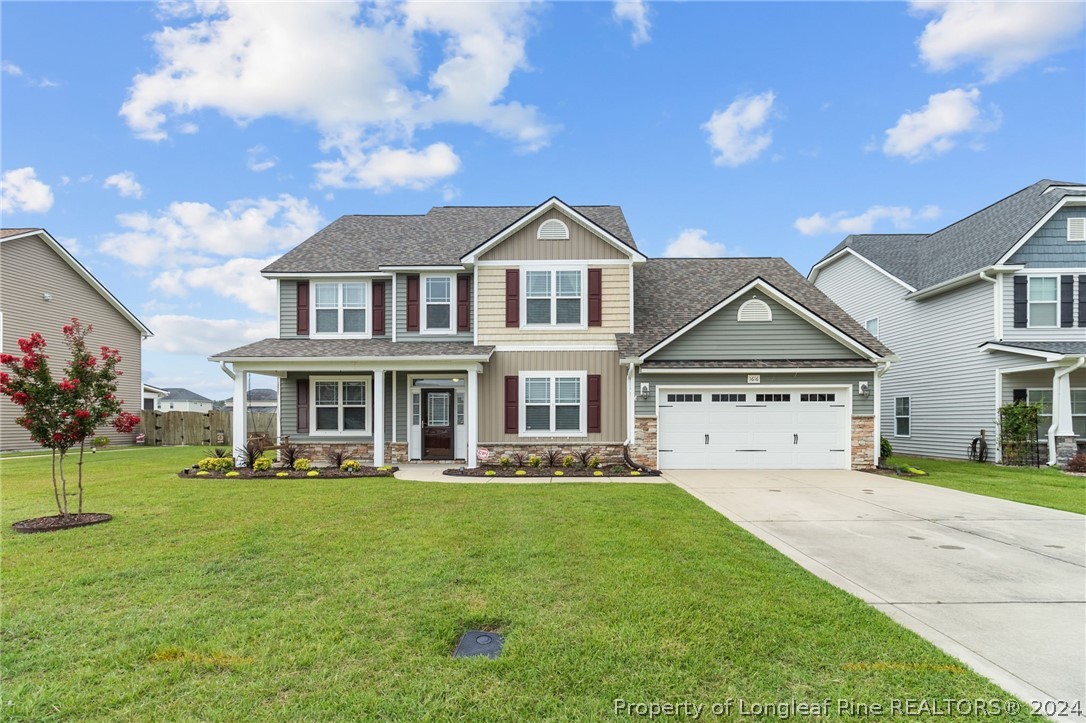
[[434, 337]]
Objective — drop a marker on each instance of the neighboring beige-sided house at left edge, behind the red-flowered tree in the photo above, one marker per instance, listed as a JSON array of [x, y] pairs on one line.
[[42, 288]]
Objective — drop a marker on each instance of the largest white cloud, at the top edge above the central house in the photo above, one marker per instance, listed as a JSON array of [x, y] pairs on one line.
[[361, 80]]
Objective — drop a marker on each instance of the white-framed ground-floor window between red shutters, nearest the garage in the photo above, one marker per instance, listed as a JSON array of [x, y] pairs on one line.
[[553, 404]]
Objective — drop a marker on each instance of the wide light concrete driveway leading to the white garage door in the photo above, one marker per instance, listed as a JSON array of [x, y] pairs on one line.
[[999, 585]]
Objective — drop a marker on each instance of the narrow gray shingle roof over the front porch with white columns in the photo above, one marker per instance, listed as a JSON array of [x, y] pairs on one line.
[[351, 348]]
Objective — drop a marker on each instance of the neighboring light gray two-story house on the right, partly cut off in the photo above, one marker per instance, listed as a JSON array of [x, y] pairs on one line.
[[988, 311]]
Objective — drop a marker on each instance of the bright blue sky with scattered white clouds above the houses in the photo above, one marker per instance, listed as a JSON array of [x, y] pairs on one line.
[[175, 149]]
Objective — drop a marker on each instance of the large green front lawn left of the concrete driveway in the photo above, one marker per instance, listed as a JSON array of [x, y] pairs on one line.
[[343, 600]]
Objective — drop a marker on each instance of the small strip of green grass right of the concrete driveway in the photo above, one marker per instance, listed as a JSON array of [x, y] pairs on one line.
[[1044, 487]]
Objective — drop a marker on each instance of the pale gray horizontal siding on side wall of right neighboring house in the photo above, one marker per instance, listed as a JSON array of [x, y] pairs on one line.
[[951, 382]]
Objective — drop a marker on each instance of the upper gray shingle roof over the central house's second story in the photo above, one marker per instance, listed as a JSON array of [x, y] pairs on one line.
[[363, 244]]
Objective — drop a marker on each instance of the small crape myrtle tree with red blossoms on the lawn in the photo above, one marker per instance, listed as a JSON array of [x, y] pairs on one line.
[[62, 415]]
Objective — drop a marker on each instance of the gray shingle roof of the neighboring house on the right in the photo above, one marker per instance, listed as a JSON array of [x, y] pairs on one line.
[[975, 243]]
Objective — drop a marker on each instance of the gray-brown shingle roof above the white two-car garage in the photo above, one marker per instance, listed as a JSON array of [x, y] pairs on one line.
[[673, 293]]
